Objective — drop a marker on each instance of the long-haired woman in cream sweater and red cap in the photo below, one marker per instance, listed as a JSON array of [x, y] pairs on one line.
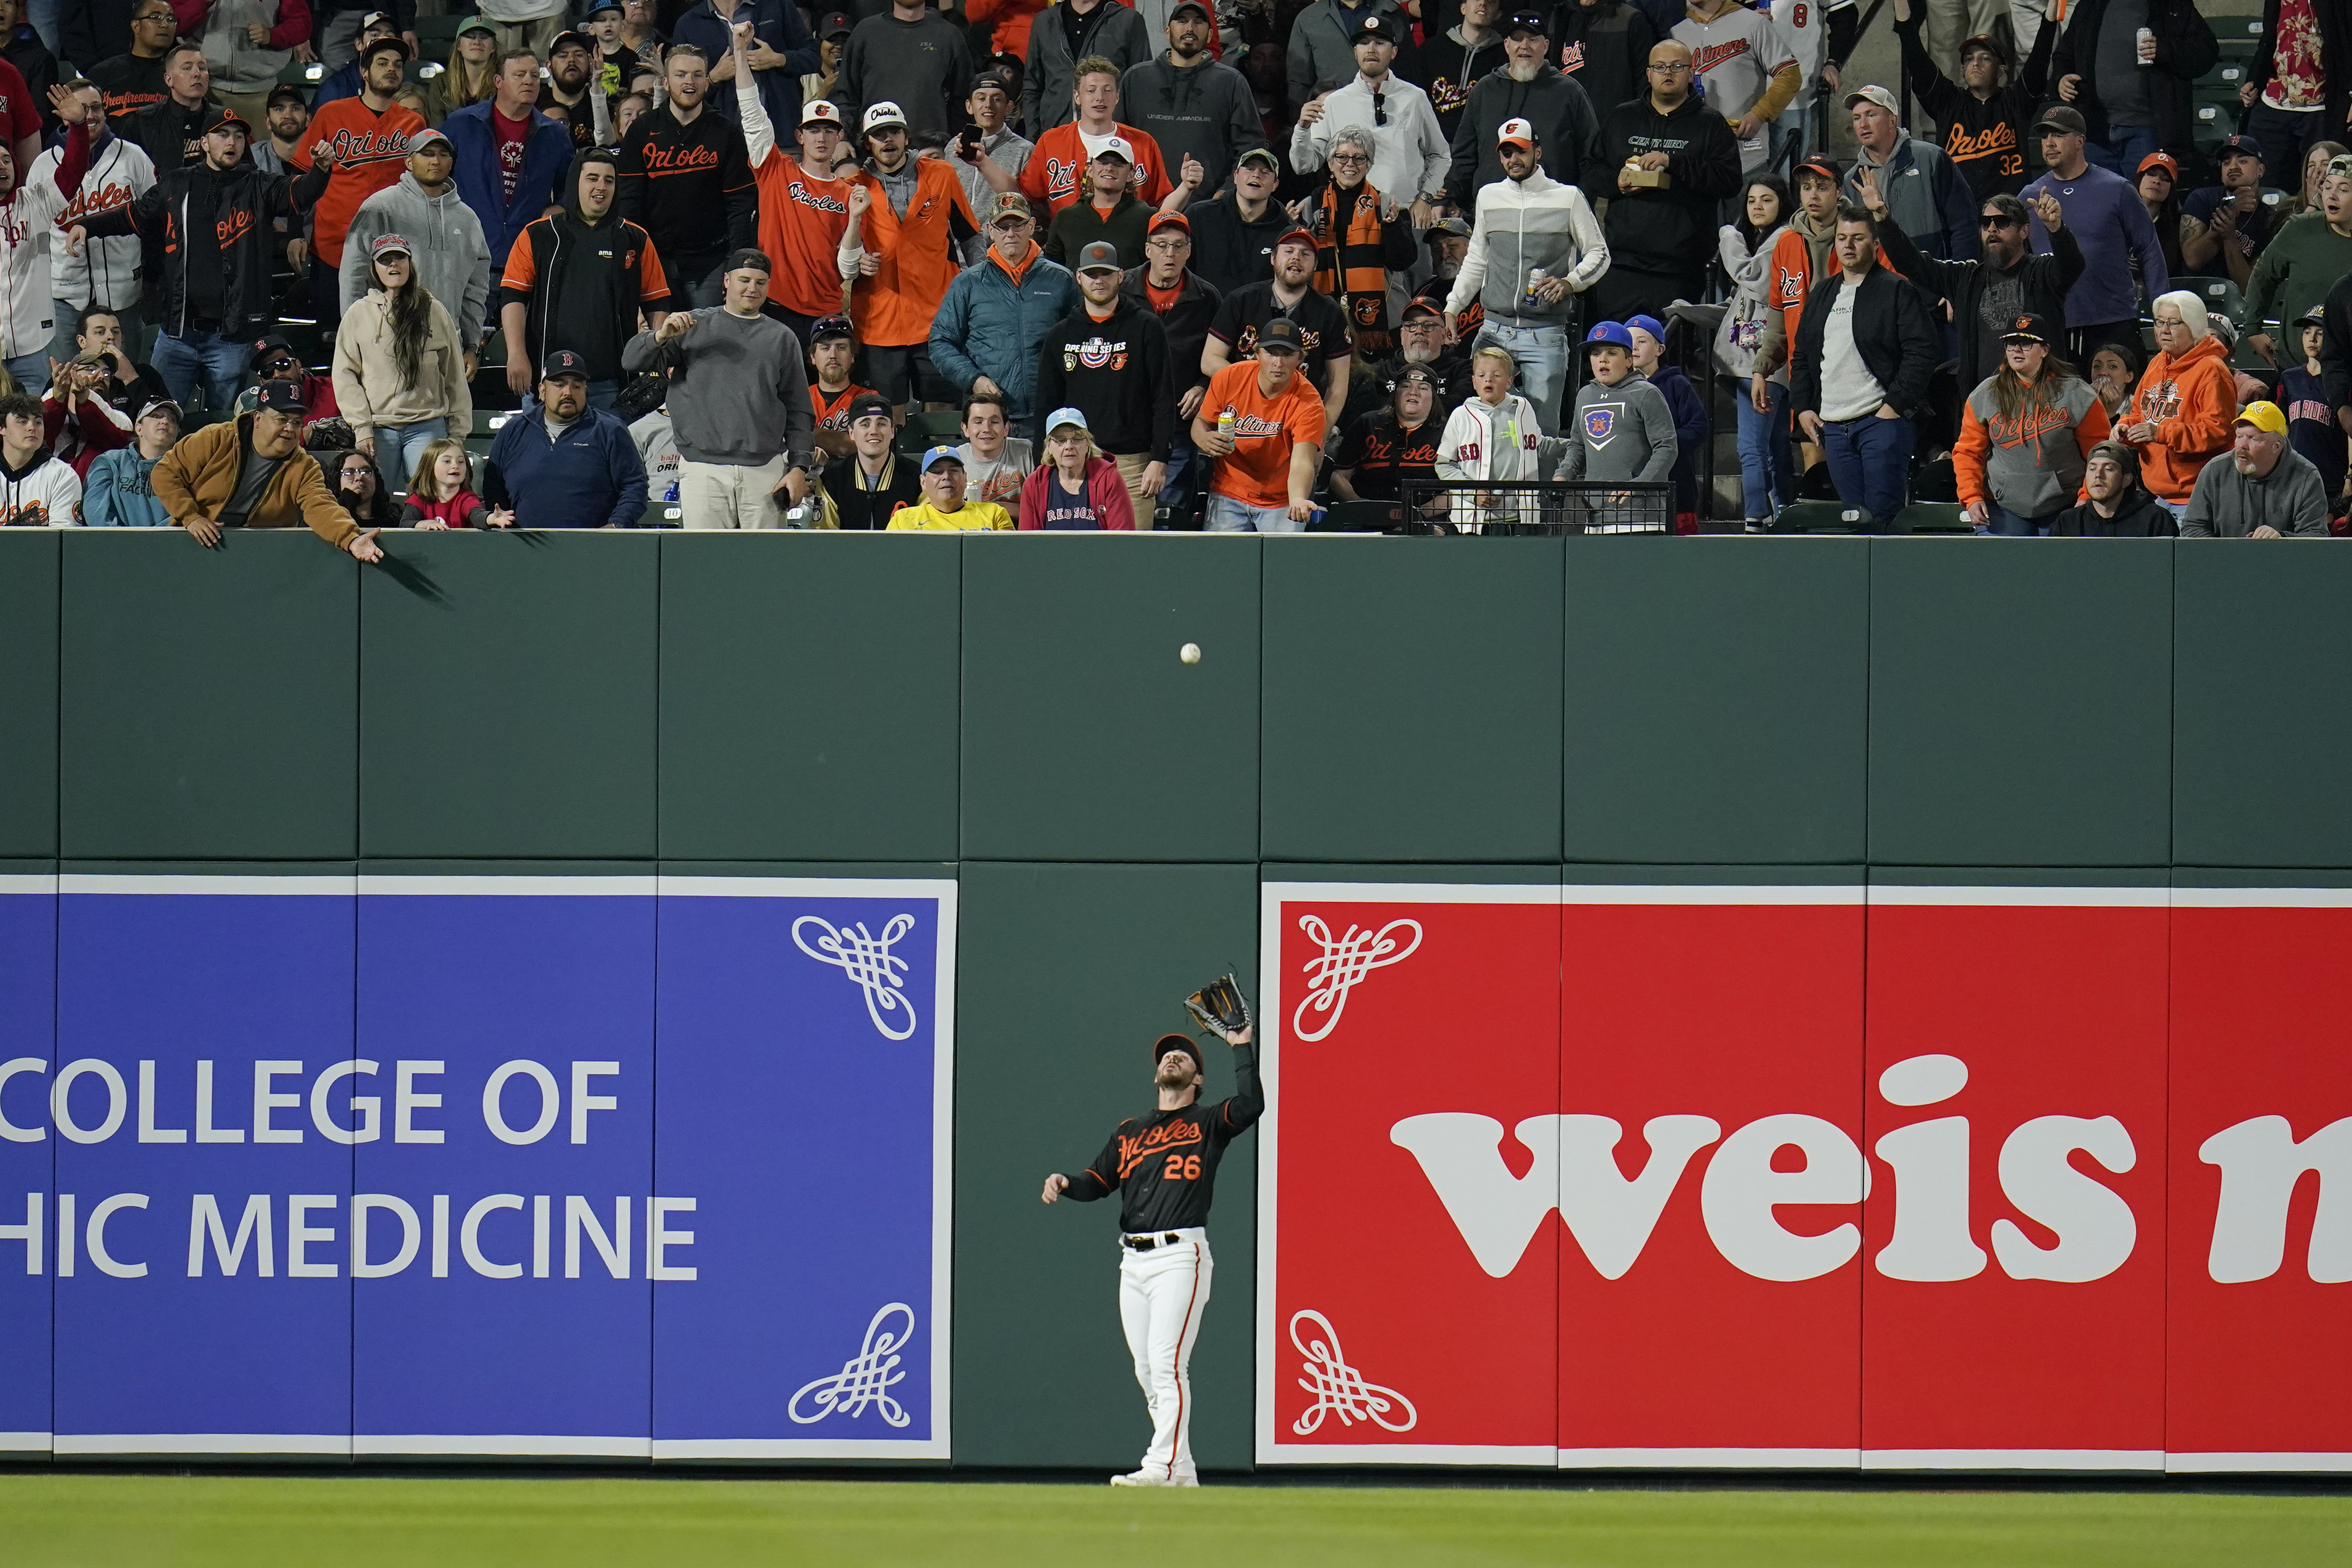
[[399, 366]]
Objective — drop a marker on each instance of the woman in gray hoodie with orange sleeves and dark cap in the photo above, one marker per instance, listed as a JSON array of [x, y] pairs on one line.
[[2026, 436]]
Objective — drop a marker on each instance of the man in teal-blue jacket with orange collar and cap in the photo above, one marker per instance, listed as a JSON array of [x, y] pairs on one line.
[[1001, 309]]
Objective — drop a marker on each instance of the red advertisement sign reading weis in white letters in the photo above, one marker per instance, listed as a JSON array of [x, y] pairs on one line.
[[1678, 1177]]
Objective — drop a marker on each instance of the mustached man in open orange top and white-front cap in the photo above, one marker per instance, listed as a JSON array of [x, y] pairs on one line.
[[916, 217]]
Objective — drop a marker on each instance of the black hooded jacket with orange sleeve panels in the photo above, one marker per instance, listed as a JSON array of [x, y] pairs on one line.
[[587, 281]]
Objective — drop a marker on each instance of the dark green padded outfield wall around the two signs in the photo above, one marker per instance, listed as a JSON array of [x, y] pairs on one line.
[[1015, 709]]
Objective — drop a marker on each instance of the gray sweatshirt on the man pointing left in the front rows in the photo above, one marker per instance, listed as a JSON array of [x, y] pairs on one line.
[[742, 394]]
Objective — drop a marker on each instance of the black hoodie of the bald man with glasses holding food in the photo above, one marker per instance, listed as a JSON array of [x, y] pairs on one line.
[[1664, 229]]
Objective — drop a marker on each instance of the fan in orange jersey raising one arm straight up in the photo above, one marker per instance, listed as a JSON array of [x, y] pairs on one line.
[[803, 210]]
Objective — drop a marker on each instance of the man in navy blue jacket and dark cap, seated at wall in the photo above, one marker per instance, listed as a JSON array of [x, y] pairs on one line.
[[563, 464]]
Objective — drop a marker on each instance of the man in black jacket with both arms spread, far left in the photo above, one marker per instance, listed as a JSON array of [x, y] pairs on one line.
[[211, 300]]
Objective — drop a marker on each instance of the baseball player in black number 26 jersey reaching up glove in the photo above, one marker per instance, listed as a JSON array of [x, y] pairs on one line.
[[1165, 1172]]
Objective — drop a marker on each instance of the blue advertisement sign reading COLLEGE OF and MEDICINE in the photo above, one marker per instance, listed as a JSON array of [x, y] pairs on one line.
[[479, 1167]]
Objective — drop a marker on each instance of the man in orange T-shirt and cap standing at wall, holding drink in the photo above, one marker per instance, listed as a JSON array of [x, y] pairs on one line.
[[1264, 462]]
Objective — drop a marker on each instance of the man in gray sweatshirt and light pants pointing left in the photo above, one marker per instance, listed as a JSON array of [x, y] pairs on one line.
[[740, 403]]
